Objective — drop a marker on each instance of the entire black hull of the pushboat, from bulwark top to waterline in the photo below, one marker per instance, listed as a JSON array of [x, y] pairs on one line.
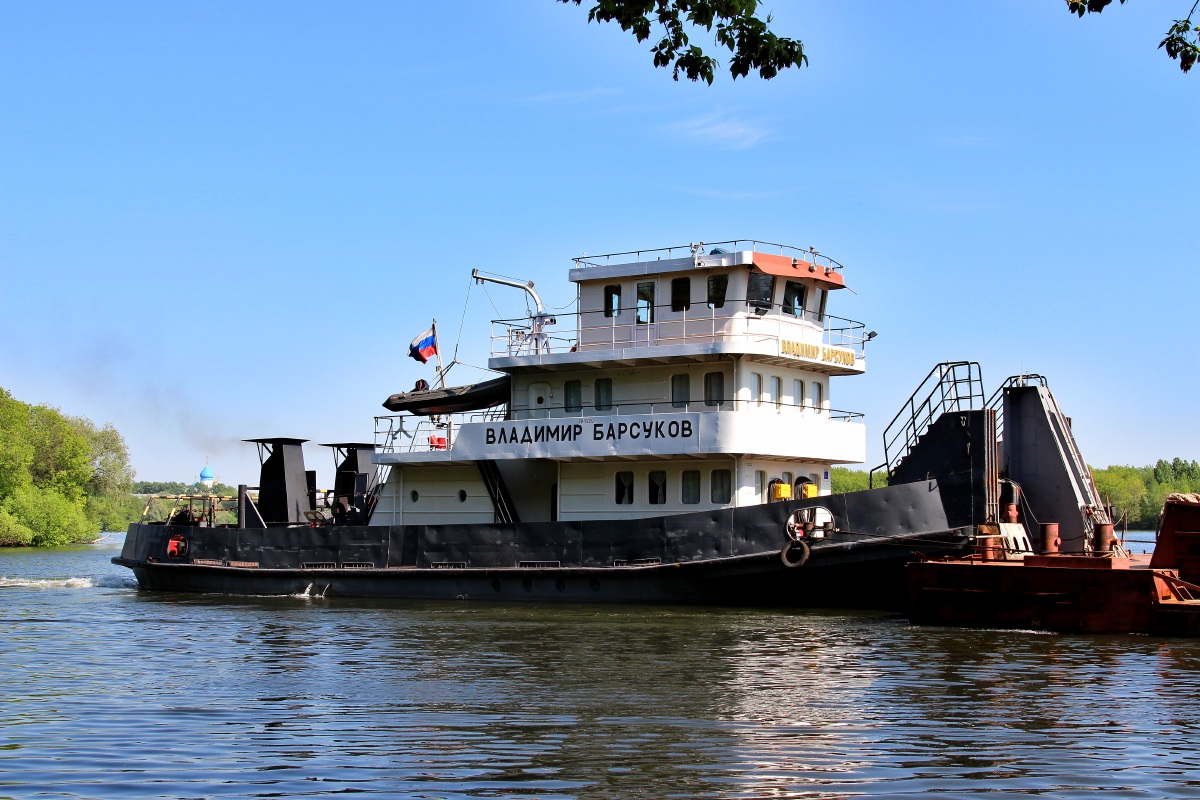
[[729, 557]]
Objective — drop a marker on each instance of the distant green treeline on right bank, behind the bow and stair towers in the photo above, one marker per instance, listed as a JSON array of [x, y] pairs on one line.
[[1136, 492]]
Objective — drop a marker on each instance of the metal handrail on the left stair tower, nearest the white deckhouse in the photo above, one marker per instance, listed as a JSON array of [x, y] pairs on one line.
[[945, 395]]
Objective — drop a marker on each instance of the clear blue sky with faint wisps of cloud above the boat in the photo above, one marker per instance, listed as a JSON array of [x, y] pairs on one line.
[[221, 221]]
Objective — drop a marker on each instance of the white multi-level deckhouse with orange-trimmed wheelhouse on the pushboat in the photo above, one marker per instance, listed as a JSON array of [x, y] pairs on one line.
[[689, 380]]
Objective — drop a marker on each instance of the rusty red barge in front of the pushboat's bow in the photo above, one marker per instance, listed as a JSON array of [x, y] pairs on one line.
[[1097, 593]]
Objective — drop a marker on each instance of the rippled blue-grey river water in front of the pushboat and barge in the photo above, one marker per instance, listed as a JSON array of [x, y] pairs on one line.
[[112, 693]]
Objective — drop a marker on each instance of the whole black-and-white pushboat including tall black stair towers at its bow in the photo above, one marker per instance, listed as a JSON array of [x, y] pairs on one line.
[[671, 441]]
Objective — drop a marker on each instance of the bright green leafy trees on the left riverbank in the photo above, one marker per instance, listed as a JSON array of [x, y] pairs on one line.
[[63, 480]]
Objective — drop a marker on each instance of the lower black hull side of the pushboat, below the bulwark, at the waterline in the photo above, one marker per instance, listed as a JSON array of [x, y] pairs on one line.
[[869, 576]]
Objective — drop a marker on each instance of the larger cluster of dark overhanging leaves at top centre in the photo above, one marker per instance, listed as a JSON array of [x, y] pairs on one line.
[[753, 45]]
